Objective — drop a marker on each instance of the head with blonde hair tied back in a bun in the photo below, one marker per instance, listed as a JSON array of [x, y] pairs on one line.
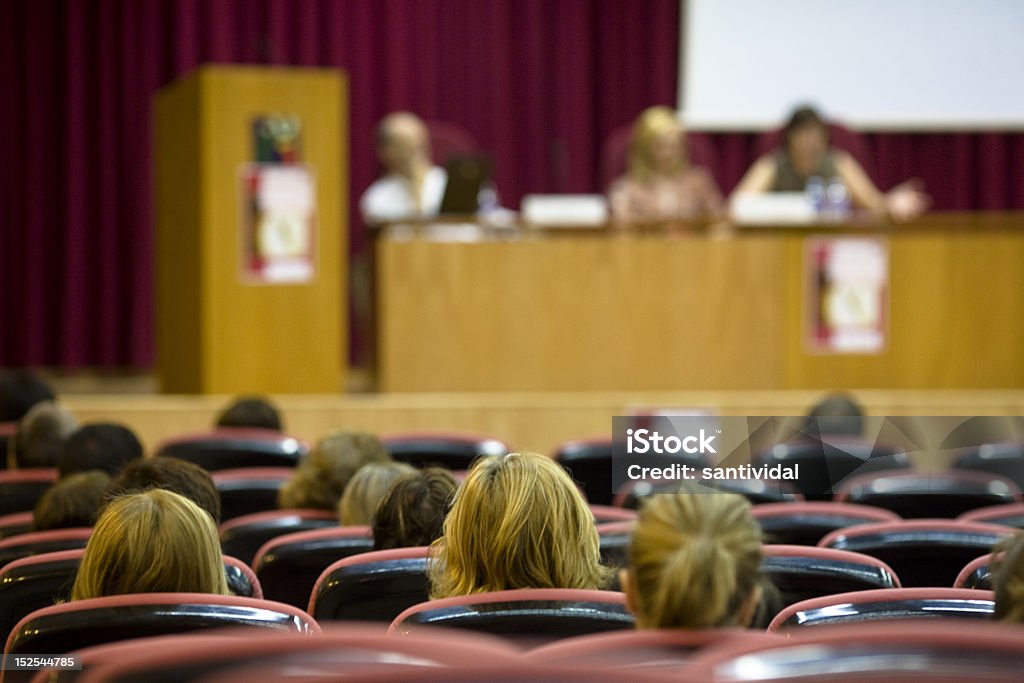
[[695, 563]]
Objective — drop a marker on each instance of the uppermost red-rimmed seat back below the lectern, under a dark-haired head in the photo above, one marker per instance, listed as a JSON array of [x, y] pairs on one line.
[[230, 448]]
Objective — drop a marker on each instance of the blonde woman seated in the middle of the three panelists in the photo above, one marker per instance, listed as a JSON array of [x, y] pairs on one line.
[[661, 184]]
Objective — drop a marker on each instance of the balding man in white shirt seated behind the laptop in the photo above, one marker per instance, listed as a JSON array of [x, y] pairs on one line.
[[412, 187]]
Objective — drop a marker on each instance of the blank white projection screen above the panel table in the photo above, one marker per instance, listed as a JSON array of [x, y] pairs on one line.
[[882, 65]]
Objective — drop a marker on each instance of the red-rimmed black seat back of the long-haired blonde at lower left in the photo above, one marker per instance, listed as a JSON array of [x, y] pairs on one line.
[[72, 626]]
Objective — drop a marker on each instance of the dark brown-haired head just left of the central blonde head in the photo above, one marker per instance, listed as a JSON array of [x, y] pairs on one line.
[[413, 511]]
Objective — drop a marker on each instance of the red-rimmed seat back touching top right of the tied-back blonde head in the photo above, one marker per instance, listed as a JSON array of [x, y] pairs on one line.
[[805, 524]]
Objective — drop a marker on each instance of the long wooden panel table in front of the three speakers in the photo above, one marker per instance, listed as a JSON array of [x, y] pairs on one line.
[[545, 312]]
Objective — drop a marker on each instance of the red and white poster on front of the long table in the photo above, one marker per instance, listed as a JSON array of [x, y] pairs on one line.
[[847, 295]]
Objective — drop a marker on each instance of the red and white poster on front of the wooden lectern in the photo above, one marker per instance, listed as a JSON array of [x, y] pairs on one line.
[[278, 224]]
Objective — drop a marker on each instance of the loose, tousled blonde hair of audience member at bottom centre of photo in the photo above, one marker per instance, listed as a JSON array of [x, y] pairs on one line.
[[518, 522]]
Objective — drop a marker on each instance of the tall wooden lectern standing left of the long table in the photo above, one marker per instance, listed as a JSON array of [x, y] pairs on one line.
[[222, 327]]
